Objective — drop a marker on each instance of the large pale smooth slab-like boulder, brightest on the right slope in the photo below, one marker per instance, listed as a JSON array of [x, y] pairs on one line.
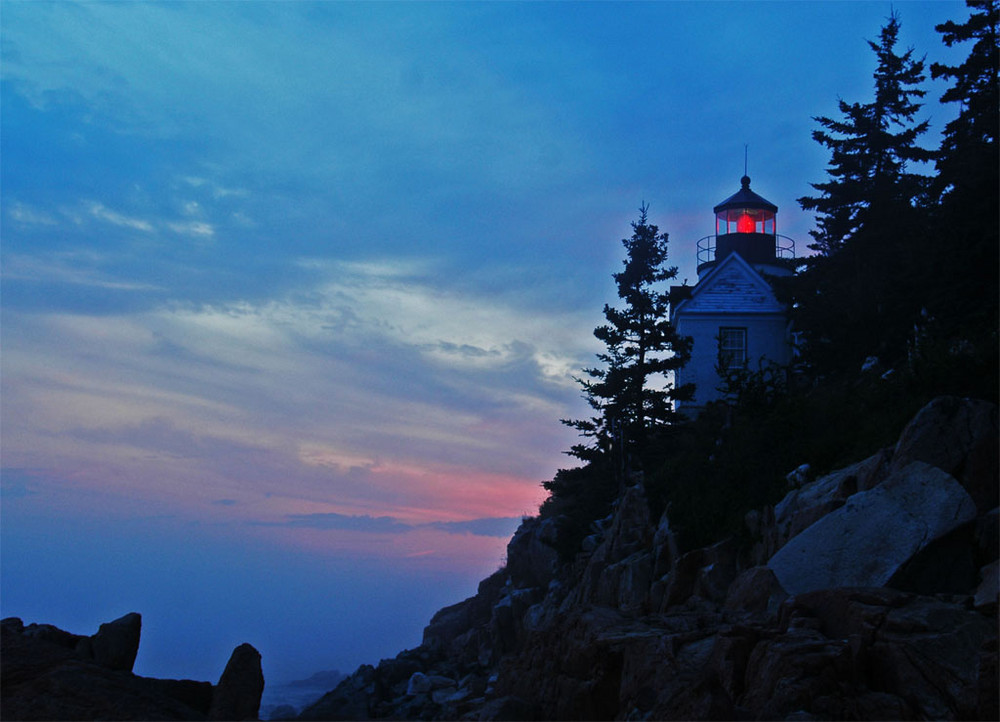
[[866, 541]]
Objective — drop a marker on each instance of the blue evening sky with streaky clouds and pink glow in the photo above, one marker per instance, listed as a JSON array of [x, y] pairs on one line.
[[293, 293]]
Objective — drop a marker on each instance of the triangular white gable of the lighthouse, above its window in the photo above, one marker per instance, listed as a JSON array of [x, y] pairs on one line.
[[733, 286]]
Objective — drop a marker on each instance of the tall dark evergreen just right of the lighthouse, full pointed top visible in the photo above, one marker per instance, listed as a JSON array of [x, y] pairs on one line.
[[859, 296]]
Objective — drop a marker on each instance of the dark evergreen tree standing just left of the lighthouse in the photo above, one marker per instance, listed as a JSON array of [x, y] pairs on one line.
[[630, 392]]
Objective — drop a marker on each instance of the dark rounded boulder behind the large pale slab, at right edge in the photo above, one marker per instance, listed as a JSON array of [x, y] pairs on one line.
[[958, 436]]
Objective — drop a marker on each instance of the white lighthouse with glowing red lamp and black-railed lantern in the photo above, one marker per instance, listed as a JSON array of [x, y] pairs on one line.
[[732, 314]]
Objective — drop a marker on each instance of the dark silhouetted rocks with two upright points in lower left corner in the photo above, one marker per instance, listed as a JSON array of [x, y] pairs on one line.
[[47, 673]]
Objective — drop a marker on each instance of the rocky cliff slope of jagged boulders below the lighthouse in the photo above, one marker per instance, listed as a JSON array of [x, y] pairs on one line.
[[868, 593]]
